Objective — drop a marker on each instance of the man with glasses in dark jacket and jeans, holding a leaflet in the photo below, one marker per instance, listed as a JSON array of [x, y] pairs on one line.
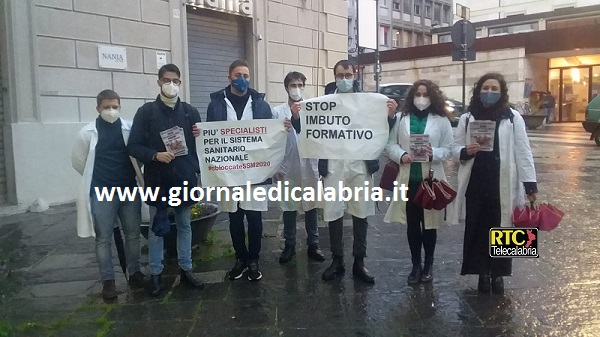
[[163, 169]]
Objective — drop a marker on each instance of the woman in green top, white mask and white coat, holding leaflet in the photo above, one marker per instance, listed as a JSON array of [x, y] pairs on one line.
[[423, 113]]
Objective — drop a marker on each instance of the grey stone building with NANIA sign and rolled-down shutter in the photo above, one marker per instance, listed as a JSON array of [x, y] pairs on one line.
[[57, 55]]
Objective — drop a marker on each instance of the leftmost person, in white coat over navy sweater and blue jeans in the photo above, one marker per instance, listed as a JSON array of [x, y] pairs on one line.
[[100, 156]]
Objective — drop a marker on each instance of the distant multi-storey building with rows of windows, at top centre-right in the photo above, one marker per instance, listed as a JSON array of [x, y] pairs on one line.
[[403, 23]]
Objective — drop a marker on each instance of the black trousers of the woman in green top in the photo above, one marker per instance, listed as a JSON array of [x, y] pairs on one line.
[[415, 230]]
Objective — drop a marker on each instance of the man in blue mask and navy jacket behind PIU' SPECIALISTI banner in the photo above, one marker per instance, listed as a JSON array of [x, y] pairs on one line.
[[238, 102]]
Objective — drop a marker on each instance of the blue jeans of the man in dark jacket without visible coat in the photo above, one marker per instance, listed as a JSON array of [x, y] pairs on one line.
[[184, 241]]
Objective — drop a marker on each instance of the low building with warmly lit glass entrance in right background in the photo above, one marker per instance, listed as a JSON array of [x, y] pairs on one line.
[[557, 51]]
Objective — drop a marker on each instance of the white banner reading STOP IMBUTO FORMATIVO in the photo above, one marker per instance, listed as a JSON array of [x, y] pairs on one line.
[[350, 126]]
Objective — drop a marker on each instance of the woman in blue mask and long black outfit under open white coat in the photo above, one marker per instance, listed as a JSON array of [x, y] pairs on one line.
[[492, 181]]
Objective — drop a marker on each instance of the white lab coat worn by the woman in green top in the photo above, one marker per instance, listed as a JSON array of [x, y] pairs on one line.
[[440, 136]]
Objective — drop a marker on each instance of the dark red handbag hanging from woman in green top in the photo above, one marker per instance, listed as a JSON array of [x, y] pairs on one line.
[[434, 194]]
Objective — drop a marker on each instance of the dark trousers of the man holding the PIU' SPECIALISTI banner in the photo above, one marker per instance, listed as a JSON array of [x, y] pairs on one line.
[[238, 234]]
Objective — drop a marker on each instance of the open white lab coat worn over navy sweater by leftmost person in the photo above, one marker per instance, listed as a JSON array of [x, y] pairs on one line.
[[83, 157]]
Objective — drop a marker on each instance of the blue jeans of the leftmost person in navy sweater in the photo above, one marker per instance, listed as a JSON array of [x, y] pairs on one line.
[[104, 216]]
